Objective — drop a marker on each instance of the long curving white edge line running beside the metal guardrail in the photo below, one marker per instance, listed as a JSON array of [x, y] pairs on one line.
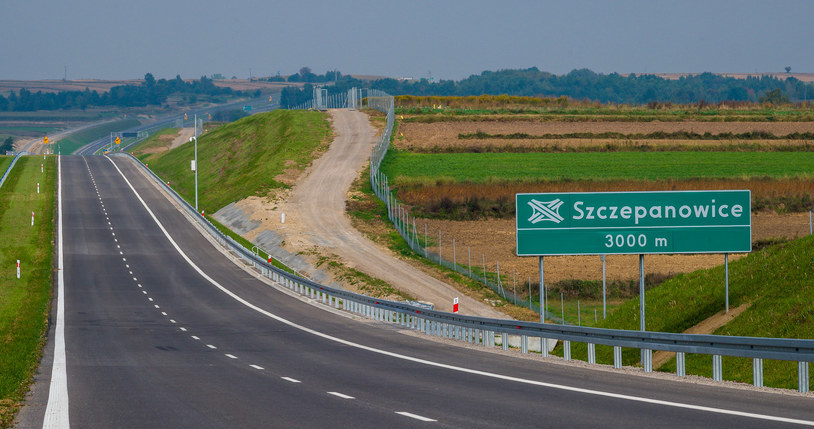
[[452, 367]]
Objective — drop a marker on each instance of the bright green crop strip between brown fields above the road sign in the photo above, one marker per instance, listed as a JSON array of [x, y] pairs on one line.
[[420, 168]]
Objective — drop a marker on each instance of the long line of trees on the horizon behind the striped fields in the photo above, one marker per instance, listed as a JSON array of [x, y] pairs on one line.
[[585, 84]]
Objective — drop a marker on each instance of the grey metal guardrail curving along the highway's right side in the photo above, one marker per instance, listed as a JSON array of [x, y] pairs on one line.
[[480, 330]]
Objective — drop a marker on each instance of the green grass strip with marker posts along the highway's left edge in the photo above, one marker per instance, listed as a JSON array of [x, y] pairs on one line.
[[24, 302]]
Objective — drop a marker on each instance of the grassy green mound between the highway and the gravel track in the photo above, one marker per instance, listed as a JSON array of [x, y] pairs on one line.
[[243, 158]]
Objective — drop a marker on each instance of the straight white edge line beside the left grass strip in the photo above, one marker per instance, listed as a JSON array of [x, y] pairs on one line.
[[56, 412]]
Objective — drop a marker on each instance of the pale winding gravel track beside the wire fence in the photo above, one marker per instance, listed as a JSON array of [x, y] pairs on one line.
[[315, 216]]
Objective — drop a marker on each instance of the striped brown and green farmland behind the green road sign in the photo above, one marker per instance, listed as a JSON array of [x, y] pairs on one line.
[[458, 166]]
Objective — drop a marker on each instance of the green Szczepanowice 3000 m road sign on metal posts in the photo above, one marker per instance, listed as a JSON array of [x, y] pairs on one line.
[[598, 223]]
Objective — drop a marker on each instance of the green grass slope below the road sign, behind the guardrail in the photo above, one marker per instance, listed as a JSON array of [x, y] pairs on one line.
[[778, 283]]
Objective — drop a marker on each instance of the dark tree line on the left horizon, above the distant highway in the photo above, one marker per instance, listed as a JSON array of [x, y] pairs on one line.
[[149, 92]]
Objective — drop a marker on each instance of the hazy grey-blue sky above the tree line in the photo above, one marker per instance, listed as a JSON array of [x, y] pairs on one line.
[[111, 39]]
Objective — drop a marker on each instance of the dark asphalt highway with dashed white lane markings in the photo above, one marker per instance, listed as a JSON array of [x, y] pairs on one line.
[[158, 333]]
